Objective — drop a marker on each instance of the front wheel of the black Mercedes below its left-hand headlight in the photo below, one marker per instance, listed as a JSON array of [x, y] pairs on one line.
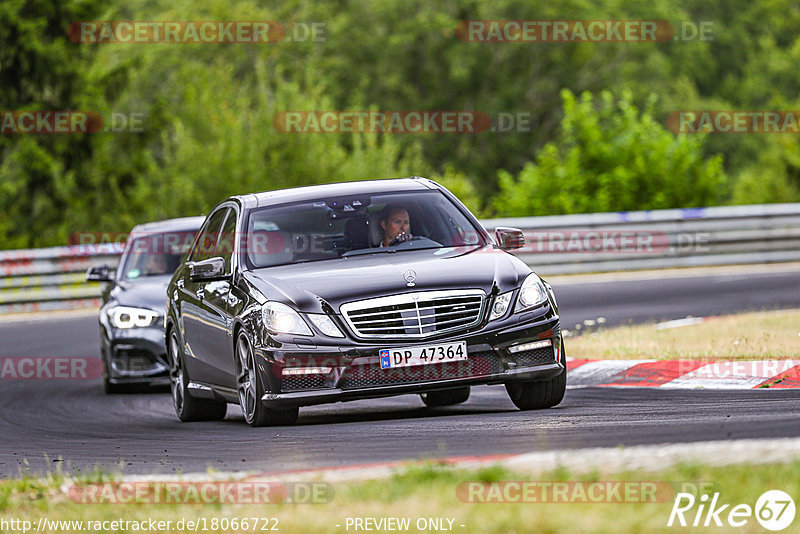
[[251, 389]]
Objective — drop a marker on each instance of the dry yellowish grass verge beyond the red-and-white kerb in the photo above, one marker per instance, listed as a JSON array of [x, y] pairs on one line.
[[749, 336]]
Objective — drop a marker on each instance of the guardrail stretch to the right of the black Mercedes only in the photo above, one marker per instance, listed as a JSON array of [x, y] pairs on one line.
[[607, 242]]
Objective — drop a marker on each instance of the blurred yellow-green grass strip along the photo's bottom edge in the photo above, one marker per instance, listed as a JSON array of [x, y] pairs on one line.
[[428, 490]]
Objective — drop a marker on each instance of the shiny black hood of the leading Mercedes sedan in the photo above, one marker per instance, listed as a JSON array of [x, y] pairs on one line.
[[375, 275]]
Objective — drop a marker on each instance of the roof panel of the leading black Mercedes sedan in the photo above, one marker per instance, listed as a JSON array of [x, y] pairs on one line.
[[298, 194]]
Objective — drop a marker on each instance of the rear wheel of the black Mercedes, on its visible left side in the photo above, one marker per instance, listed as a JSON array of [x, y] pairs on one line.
[[188, 408]]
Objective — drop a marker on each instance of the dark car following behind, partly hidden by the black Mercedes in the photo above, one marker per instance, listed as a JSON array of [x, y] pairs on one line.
[[131, 320]]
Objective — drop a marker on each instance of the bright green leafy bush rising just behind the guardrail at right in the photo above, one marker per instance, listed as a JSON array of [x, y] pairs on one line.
[[611, 157]]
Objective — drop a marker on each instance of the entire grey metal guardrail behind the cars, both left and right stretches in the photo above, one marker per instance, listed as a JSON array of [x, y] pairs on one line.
[[53, 278]]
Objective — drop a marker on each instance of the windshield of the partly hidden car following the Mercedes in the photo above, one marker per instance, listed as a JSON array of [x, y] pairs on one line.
[[155, 254]]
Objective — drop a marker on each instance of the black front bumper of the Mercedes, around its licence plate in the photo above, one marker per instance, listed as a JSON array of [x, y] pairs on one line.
[[355, 372]]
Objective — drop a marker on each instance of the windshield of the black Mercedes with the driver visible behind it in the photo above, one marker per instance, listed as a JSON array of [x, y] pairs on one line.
[[332, 228]]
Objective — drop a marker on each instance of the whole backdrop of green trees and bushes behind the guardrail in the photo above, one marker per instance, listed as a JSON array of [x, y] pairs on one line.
[[207, 109]]
